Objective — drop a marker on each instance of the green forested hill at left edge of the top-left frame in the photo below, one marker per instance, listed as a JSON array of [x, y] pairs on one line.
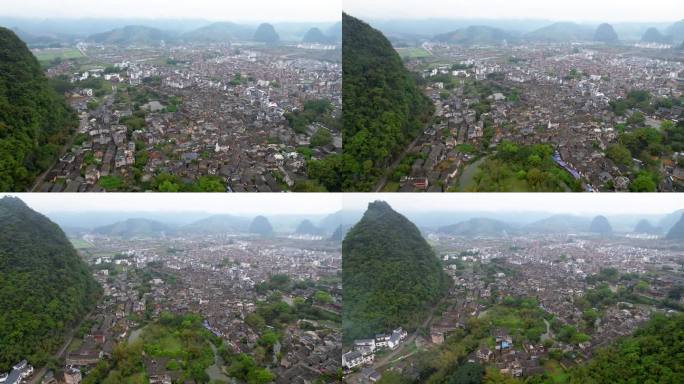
[[35, 121]]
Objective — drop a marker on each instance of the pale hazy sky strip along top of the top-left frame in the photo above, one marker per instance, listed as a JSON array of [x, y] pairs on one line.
[[234, 10]]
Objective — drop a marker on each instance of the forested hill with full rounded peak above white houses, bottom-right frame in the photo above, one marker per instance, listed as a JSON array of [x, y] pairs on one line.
[[390, 274]]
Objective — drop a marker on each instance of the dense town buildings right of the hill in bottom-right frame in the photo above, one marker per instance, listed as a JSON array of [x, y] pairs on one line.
[[552, 269]]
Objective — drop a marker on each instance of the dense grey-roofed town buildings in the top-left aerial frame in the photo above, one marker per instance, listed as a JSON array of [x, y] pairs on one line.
[[220, 115]]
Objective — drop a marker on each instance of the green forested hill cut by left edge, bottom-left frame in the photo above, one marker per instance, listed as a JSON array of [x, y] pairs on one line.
[[44, 285]]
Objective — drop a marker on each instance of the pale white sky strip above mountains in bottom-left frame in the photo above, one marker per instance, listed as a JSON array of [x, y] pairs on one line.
[[213, 203]]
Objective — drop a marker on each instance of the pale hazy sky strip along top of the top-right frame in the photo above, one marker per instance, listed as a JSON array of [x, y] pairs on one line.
[[570, 10]]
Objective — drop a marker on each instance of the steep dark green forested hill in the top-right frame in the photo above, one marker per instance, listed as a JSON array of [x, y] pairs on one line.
[[383, 108]]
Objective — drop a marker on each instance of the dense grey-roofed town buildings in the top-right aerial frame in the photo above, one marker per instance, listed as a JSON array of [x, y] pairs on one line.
[[540, 94]]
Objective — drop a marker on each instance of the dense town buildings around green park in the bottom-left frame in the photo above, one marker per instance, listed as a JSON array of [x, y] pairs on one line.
[[215, 276]]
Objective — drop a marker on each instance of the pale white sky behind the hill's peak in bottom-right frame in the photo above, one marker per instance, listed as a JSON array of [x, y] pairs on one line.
[[571, 203]]
